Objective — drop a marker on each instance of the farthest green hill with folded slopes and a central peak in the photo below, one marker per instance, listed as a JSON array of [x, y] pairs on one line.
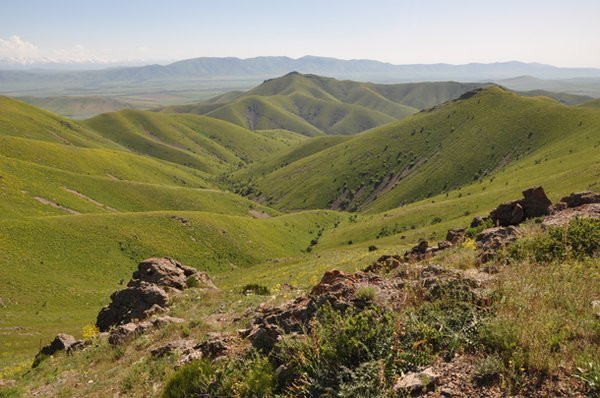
[[314, 105]]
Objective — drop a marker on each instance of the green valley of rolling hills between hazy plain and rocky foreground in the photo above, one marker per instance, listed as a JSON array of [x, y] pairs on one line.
[[273, 186]]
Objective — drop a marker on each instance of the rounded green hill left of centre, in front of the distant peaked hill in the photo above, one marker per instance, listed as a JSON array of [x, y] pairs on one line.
[[200, 142]]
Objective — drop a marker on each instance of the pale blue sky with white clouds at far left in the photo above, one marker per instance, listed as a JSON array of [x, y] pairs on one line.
[[561, 33]]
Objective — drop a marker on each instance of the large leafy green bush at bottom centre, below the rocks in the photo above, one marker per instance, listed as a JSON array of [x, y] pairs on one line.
[[328, 359]]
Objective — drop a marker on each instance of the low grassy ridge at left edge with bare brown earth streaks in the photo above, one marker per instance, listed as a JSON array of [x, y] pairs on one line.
[[32, 190]]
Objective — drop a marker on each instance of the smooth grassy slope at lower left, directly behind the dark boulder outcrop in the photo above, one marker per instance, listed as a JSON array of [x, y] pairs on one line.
[[57, 272]]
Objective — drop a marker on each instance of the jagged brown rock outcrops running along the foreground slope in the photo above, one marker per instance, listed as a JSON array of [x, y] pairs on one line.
[[392, 283]]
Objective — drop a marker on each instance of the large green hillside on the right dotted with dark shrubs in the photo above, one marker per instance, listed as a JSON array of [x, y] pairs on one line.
[[432, 152]]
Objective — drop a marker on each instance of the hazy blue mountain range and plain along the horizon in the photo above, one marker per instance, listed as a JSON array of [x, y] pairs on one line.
[[202, 71]]
